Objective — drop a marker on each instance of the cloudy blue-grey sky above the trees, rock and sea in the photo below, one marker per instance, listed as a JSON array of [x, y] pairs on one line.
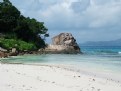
[[87, 20]]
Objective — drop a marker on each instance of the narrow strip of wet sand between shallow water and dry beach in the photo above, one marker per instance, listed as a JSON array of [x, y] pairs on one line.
[[110, 76]]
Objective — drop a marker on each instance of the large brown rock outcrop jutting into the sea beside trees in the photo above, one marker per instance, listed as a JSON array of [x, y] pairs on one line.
[[63, 43]]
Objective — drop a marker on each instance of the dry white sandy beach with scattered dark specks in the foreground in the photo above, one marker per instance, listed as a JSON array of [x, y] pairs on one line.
[[18, 77]]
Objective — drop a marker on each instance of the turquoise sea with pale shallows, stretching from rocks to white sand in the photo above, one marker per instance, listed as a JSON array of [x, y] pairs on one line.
[[101, 61]]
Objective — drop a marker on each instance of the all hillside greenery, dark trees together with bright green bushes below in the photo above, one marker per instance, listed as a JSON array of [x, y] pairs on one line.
[[18, 30]]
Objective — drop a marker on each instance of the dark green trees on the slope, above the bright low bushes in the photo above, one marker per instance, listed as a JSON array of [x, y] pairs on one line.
[[15, 26]]
